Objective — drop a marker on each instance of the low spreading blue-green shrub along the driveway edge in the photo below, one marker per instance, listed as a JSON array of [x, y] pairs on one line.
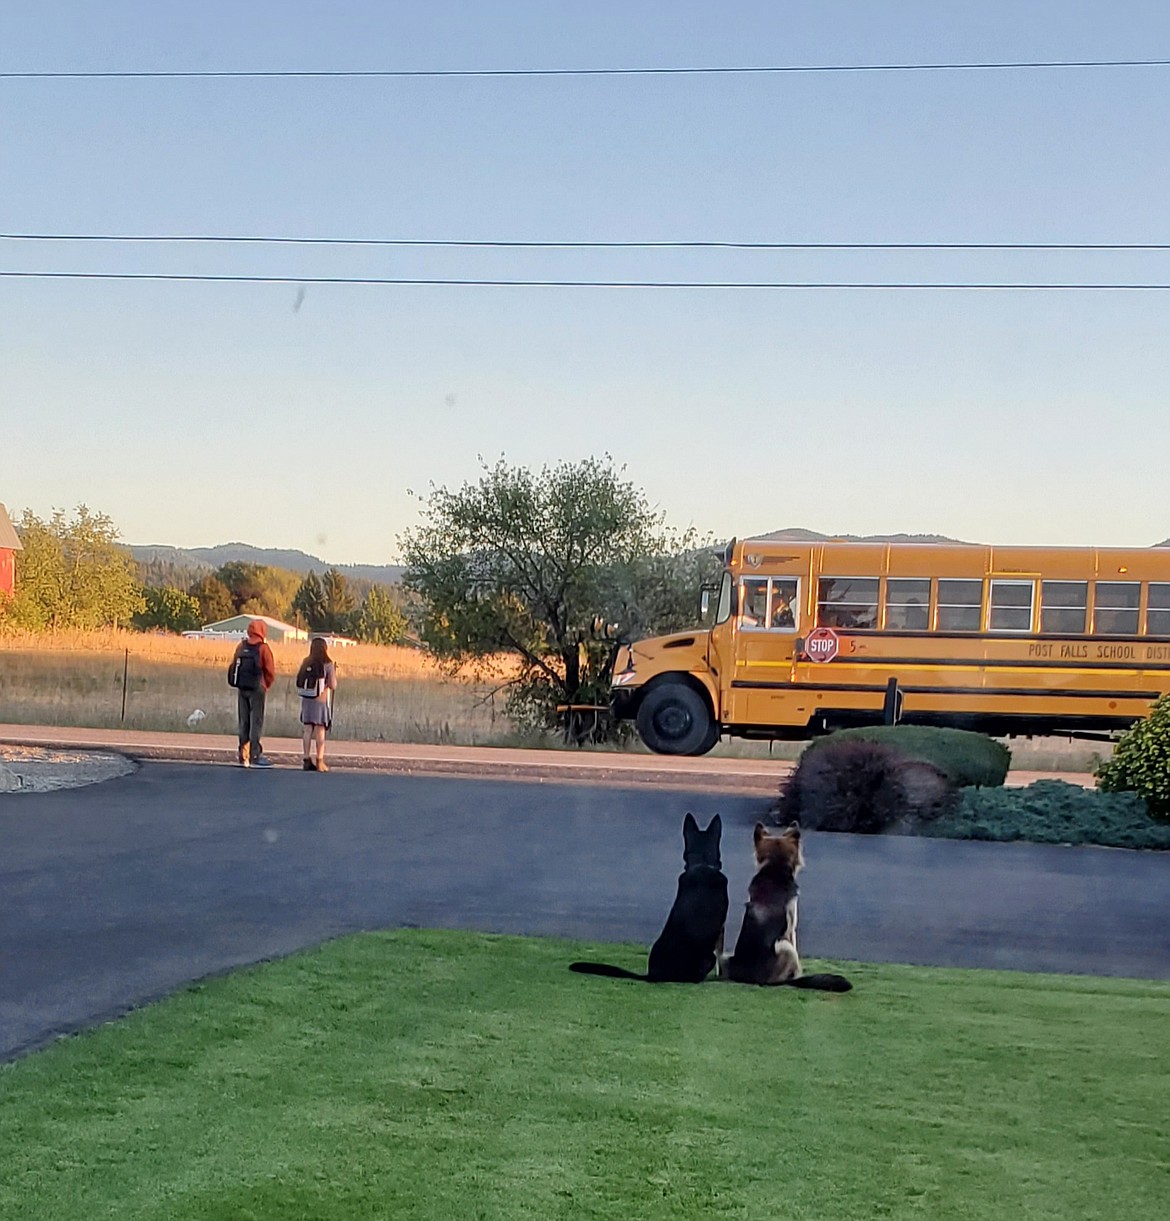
[[1053, 813]]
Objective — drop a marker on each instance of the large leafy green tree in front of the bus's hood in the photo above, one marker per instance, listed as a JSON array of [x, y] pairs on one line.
[[522, 562]]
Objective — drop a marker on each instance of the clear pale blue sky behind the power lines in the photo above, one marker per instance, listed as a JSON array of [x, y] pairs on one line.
[[197, 415]]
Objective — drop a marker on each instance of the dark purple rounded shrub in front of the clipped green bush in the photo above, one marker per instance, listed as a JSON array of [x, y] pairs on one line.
[[853, 786]]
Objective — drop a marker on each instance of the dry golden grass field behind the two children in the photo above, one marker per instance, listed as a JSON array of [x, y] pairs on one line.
[[385, 694]]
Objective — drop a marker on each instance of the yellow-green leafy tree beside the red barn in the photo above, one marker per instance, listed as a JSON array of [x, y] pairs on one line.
[[73, 573]]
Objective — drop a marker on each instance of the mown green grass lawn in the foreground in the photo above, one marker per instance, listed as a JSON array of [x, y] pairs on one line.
[[449, 1076]]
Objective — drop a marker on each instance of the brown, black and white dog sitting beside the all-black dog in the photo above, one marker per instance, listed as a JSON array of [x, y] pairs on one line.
[[766, 948]]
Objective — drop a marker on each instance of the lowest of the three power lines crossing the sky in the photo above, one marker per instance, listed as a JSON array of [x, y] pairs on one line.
[[583, 284]]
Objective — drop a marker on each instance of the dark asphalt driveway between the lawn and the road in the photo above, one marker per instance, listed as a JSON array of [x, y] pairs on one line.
[[120, 893]]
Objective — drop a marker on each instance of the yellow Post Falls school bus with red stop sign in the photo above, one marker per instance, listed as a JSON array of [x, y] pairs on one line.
[[809, 638]]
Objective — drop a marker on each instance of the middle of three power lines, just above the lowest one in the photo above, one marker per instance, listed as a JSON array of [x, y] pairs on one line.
[[187, 239]]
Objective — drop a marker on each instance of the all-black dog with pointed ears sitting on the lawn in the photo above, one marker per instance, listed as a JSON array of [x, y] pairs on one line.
[[687, 948]]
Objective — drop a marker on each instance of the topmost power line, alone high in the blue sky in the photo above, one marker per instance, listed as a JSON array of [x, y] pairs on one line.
[[744, 70]]
